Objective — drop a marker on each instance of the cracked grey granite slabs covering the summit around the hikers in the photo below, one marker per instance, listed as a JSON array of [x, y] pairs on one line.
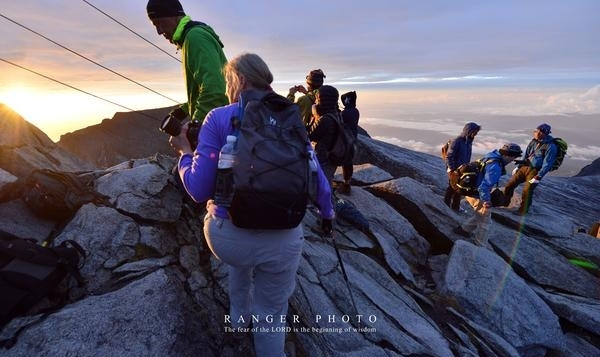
[[154, 289]]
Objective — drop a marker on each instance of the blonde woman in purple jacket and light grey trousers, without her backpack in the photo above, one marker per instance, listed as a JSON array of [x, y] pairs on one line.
[[262, 262]]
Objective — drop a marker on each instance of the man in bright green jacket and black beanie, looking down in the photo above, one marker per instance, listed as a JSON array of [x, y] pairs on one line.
[[202, 57]]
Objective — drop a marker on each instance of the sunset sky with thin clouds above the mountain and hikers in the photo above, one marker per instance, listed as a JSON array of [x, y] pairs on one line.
[[404, 58]]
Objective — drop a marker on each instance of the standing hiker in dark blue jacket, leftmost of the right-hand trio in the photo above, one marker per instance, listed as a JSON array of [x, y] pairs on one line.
[[459, 152]]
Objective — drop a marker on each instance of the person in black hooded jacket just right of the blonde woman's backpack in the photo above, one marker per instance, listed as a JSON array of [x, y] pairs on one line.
[[322, 131]]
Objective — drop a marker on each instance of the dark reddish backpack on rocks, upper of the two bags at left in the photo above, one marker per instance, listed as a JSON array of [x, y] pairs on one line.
[[58, 195]]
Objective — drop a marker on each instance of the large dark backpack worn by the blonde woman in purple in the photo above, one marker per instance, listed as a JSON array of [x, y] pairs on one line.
[[272, 172]]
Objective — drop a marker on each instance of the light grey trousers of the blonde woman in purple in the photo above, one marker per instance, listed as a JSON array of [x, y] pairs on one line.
[[262, 277]]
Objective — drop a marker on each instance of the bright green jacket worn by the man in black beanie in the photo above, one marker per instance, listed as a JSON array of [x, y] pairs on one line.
[[203, 60]]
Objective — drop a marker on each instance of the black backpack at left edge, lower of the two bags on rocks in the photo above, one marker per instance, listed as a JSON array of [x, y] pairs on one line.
[[29, 272]]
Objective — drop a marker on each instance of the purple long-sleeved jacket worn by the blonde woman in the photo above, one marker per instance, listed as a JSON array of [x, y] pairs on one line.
[[198, 173]]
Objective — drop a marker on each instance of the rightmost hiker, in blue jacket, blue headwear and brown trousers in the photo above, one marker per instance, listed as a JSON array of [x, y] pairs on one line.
[[538, 160]]
